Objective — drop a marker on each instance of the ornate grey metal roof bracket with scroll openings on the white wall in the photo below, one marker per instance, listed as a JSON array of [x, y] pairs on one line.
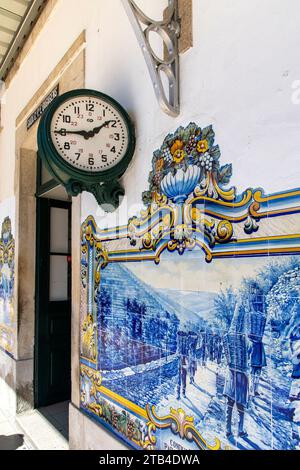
[[169, 30]]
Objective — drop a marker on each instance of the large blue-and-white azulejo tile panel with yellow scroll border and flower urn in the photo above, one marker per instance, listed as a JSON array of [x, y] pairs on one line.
[[190, 313]]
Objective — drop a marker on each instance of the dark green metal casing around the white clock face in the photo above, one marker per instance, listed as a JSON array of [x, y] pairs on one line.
[[104, 185]]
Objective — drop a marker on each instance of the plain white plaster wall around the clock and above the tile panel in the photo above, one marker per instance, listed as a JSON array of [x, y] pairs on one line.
[[239, 76]]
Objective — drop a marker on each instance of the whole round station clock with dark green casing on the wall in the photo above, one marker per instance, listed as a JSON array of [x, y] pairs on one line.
[[86, 139]]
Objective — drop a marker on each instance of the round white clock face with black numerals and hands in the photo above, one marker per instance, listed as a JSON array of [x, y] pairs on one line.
[[89, 133]]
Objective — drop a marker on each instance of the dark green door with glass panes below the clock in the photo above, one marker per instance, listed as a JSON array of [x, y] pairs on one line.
[[53, 302]]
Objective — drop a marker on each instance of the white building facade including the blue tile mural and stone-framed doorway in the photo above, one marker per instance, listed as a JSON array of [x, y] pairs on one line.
[[239, 74]]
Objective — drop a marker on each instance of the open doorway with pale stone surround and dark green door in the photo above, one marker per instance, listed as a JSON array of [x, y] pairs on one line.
[[36, 329]]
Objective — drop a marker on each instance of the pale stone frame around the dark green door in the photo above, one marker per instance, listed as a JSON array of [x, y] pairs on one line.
[[69, 72]]
